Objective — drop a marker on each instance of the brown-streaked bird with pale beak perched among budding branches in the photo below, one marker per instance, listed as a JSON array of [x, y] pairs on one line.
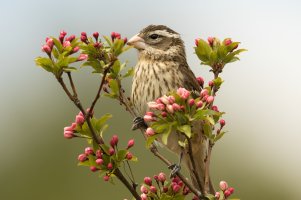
[[161, 68]]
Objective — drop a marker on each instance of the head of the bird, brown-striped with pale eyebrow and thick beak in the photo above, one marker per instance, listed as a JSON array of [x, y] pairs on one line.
[[156, 41]]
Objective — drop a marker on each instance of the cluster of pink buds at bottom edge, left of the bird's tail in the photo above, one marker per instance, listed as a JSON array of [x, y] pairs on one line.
[[149, 189]]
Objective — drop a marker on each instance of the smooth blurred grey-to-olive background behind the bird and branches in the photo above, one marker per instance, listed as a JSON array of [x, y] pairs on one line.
[[259, 157]]
